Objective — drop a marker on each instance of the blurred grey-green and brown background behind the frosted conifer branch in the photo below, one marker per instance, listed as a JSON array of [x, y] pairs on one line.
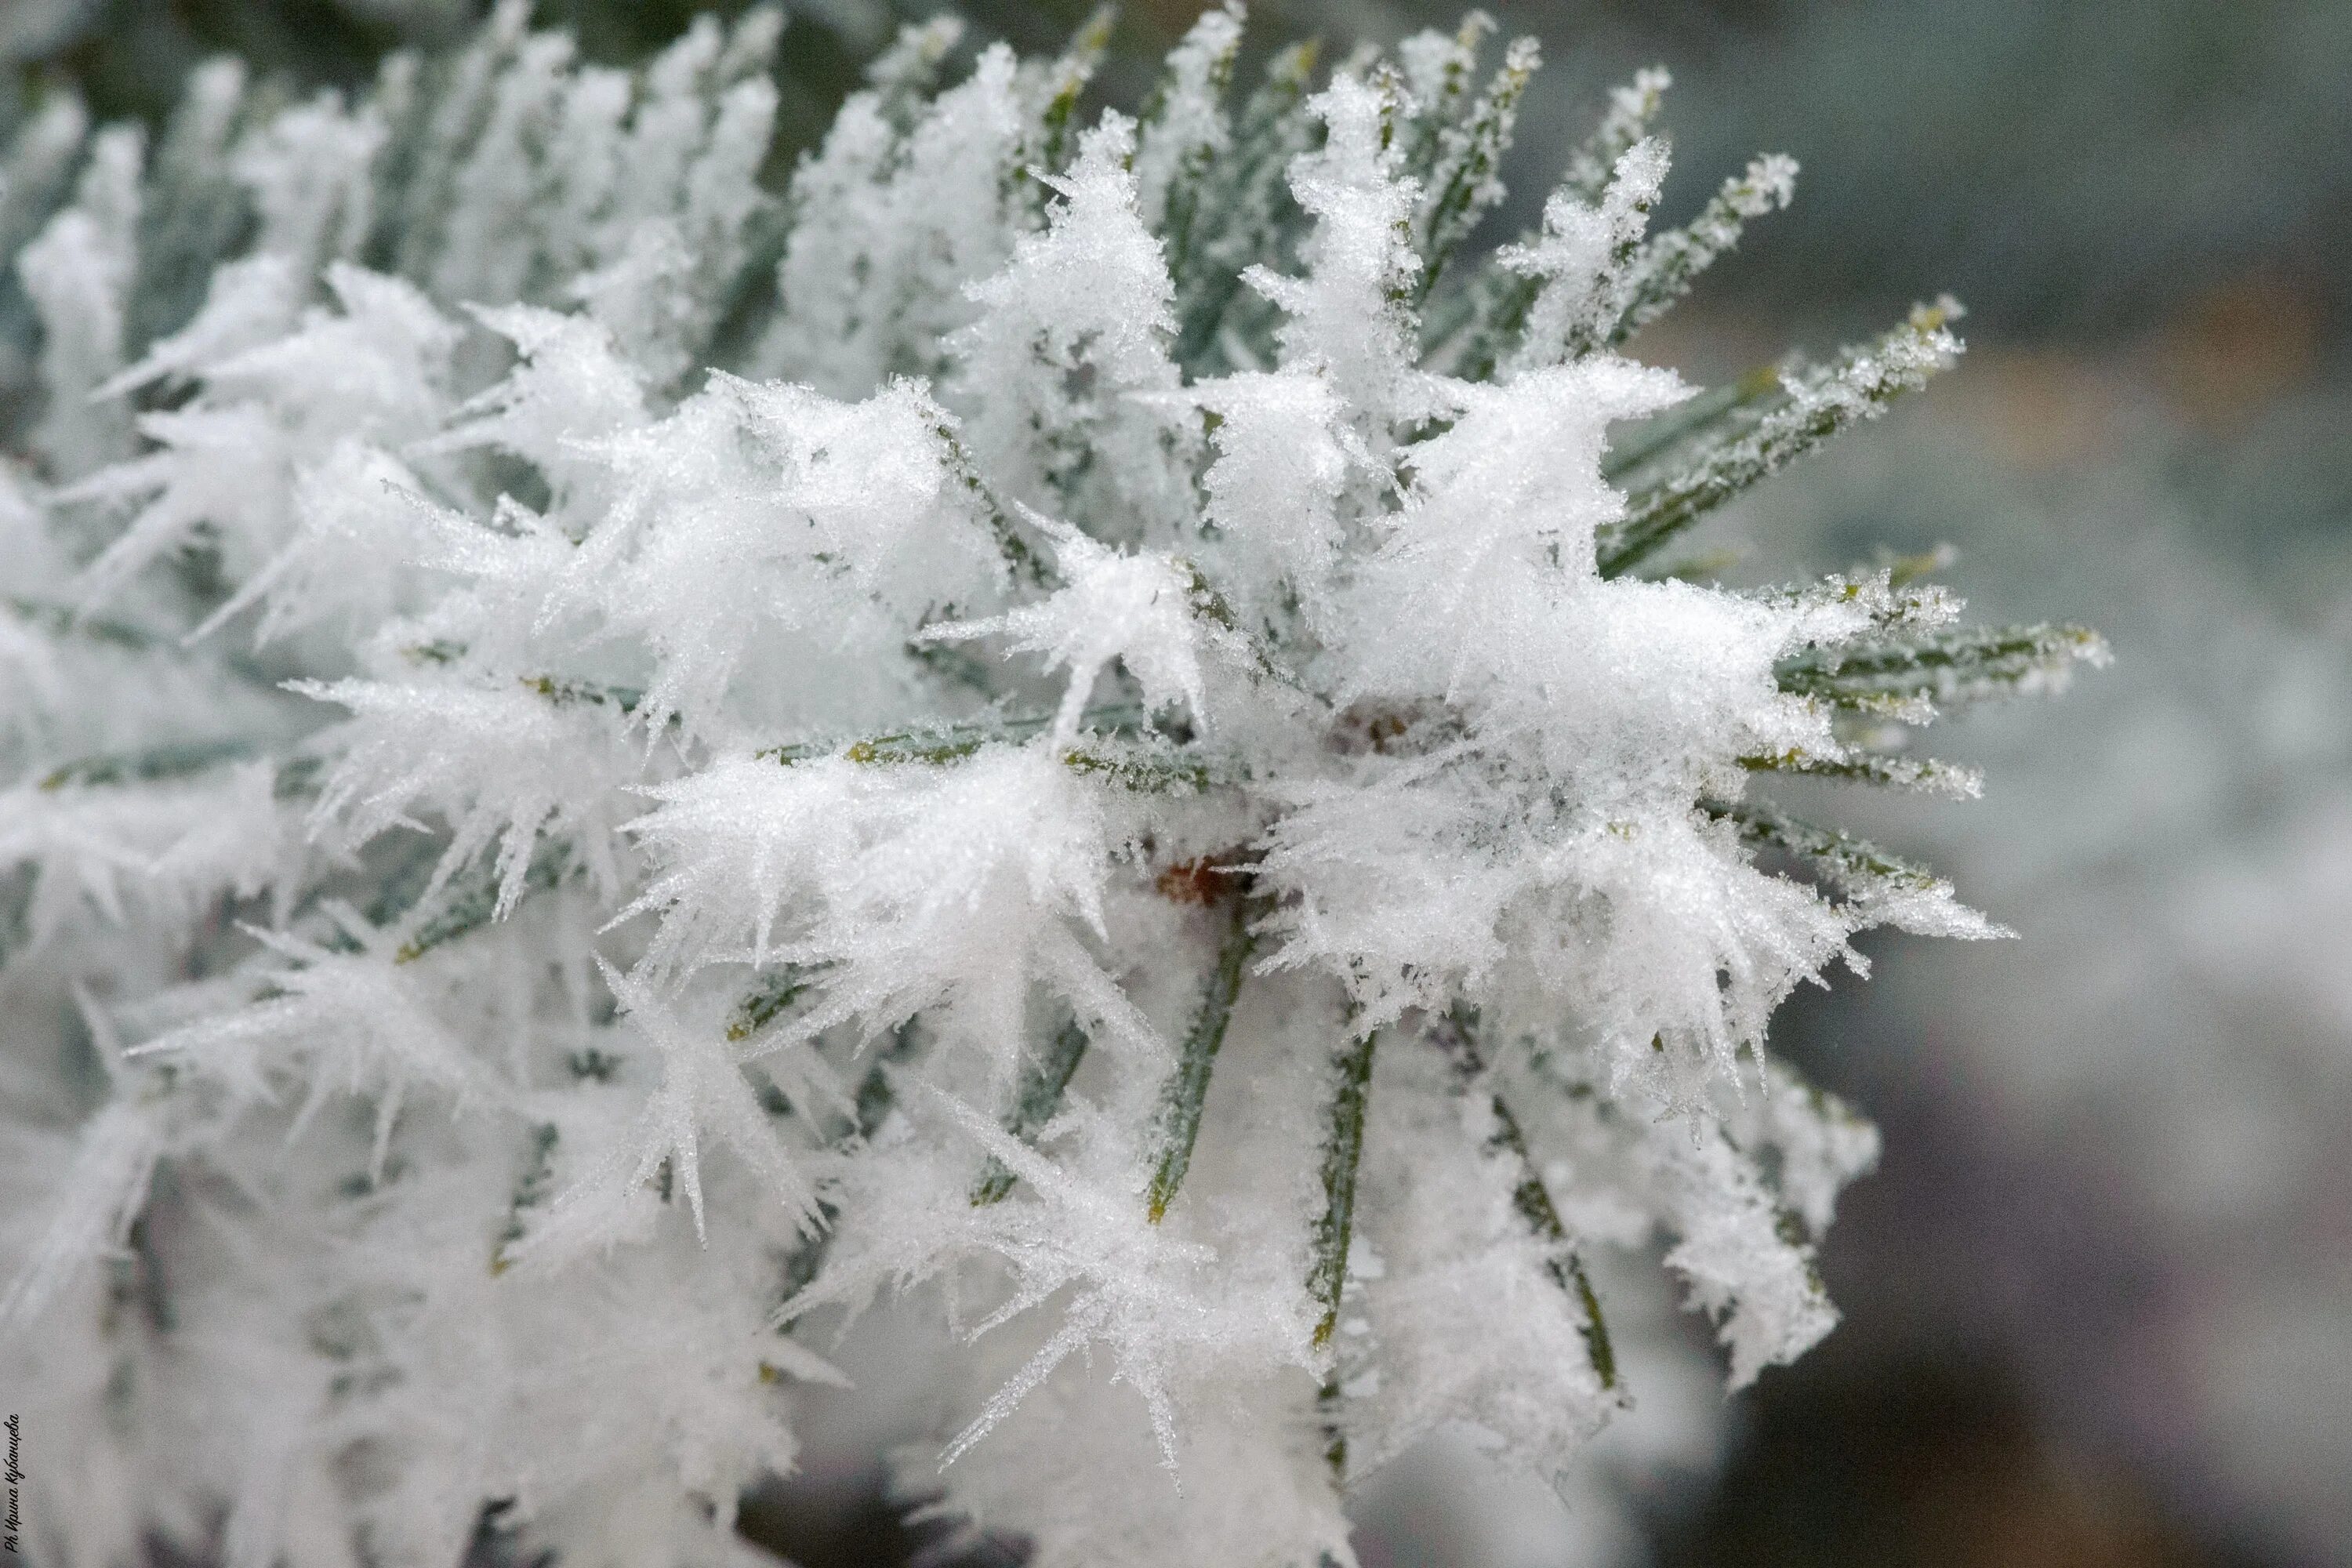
[[2099, 1296]]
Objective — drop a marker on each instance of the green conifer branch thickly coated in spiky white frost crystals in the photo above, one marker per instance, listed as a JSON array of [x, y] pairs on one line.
[[1085, 721]]
